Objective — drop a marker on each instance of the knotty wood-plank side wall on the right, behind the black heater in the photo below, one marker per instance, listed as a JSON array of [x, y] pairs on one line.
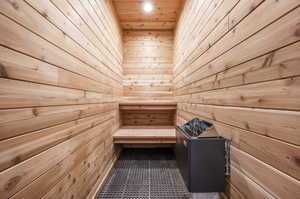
[[237, 64]]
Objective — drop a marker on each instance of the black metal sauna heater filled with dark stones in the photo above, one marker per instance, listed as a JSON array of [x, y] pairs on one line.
[[201, 156]]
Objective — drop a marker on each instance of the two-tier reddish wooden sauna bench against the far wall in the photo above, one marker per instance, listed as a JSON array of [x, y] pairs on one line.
[[146, 122]]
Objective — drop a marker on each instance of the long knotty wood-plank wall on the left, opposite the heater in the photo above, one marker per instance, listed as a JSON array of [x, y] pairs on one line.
[[60, 77]]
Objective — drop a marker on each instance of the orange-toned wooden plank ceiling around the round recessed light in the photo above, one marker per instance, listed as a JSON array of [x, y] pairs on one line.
[[163, 17]]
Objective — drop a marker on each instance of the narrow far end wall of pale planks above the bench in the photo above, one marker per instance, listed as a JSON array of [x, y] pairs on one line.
[[147, 65]]
